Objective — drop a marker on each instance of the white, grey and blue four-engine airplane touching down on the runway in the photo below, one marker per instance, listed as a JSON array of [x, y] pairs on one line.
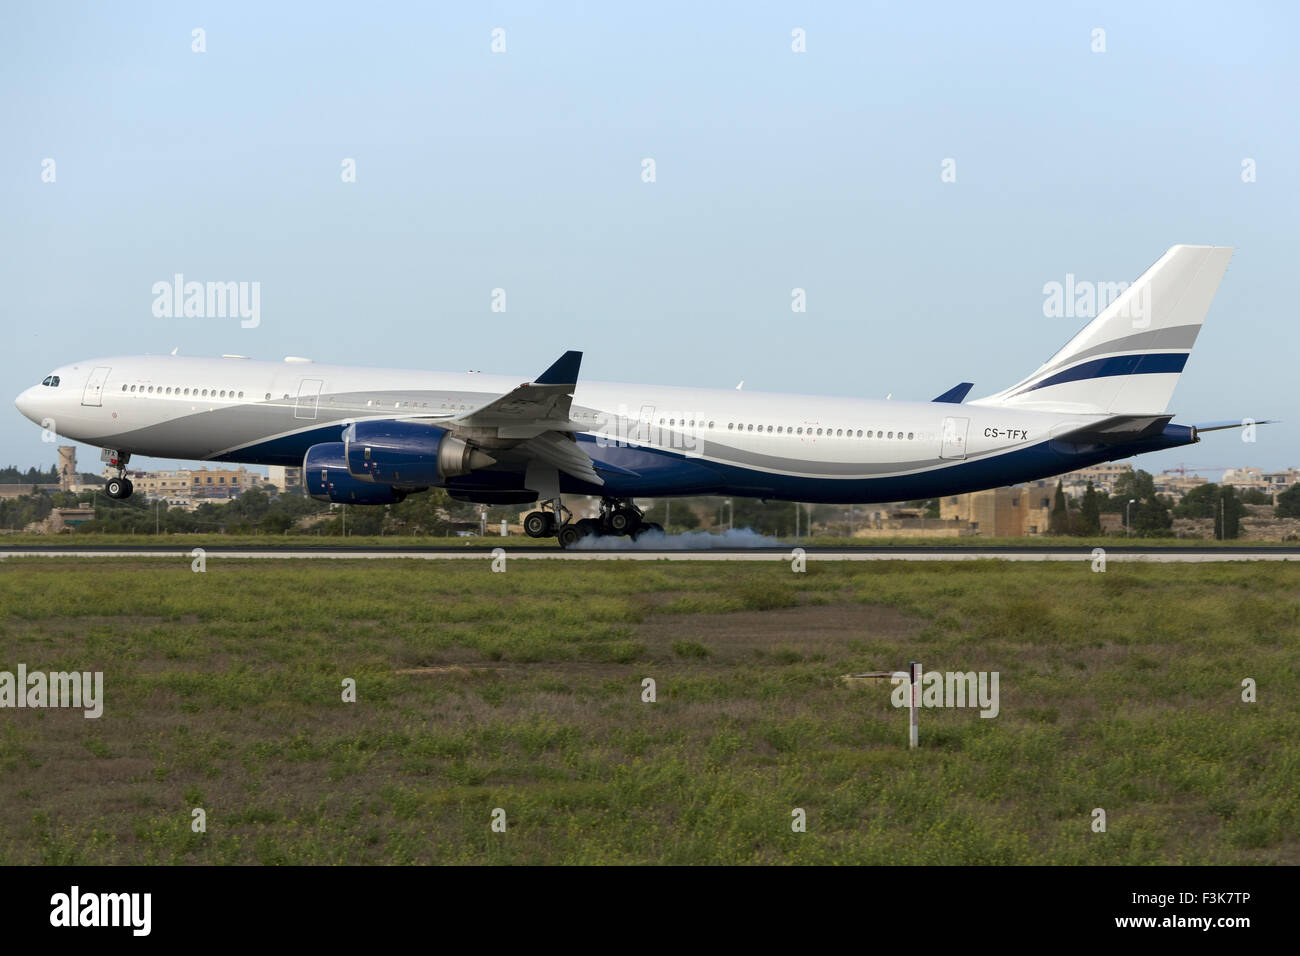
[[372, 436]]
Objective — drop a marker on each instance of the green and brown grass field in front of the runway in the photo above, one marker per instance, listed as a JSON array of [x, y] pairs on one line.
[[523, 690]]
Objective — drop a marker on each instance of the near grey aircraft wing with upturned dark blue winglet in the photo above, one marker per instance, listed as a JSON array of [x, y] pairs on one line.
[[539, 413]]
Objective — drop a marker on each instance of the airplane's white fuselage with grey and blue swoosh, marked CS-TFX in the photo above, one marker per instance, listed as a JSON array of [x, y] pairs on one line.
[[761, 444]]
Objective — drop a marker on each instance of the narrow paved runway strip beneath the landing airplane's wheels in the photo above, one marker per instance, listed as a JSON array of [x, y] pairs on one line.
[[1125, 553]]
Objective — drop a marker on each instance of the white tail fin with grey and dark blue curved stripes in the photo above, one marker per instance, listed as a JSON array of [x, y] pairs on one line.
[[1129, 358]]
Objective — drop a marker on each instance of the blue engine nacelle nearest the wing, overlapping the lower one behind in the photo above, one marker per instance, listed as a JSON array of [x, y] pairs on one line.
[[408, 453]]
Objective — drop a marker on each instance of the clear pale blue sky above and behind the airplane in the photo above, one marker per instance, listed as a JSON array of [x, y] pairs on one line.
[[775, 171]]
